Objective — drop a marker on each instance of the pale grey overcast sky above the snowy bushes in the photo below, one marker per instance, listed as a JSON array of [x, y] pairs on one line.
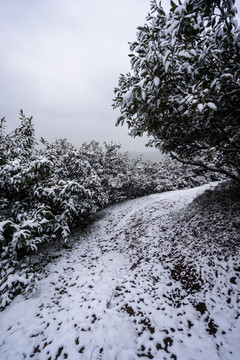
[[60, 61]]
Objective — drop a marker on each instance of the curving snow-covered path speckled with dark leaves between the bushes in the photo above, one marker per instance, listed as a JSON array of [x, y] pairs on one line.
[[130, 289]]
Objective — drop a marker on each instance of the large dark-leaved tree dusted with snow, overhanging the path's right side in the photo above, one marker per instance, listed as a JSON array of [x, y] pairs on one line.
[[184, 86]]
